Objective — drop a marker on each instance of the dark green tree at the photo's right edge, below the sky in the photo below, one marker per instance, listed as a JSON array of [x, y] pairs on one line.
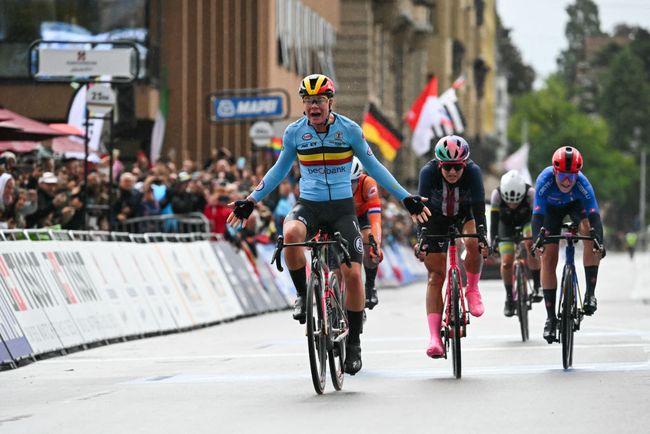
[[625, 99]]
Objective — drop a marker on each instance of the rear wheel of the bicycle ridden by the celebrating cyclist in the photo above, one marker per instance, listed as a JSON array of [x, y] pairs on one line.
[[337, 328]]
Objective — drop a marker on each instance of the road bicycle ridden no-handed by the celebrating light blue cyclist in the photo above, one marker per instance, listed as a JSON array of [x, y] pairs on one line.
[[327, 323]]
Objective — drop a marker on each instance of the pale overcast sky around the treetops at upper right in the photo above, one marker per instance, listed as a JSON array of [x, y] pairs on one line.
[[538, 26]]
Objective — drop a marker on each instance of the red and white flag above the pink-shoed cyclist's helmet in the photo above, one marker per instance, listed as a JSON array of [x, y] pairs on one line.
[[428, 119]]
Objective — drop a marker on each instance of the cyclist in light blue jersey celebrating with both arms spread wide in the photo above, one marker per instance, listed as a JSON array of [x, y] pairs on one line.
[[325, 142]]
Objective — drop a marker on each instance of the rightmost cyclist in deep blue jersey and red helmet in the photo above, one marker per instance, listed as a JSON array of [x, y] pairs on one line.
[[562, 190]]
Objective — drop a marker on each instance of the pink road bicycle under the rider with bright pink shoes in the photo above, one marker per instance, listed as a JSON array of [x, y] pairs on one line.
[[456, 314]]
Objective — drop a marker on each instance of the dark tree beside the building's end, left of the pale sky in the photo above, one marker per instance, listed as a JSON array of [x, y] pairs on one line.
[[520, 76]]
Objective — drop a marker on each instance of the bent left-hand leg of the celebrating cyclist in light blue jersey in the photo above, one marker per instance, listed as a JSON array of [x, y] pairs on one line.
[[295, 230]]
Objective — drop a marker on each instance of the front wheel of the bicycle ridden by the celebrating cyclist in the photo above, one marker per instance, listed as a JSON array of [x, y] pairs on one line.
[[315, 333]]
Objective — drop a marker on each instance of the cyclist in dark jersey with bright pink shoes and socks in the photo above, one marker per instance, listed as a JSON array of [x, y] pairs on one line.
[[454, 186]]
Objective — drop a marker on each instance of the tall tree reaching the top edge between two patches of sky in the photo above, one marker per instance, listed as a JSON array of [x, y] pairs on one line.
[[583, 23]]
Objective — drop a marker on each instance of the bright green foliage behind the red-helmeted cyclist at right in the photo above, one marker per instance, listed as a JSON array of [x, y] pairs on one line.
[[554, 121]]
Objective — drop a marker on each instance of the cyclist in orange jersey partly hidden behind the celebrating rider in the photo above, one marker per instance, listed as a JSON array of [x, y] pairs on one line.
[[368, 206]]
